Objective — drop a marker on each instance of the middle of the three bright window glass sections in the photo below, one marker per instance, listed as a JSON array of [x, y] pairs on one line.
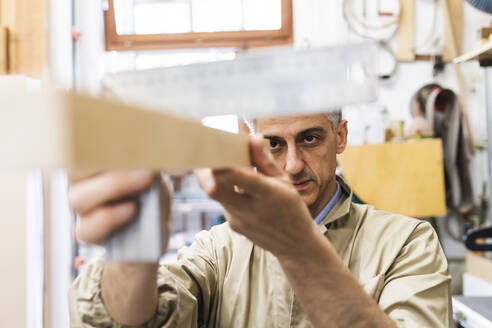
[[216, 15]]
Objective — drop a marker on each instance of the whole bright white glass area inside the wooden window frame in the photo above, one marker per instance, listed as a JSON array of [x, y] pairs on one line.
[[183, 16]]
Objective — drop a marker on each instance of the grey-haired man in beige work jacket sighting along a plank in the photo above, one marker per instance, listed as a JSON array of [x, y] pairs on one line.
[[296, 252]]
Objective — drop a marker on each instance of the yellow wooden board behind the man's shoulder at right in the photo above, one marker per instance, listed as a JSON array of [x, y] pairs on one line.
[[405, 178]]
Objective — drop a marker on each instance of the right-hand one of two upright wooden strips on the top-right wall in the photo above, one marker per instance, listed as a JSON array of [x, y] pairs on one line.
[[452, 38]]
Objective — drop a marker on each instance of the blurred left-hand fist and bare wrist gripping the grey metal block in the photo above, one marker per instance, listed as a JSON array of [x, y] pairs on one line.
[[105, 202]]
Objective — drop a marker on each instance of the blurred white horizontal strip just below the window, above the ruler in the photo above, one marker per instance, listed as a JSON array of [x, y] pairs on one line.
[[176, 58]]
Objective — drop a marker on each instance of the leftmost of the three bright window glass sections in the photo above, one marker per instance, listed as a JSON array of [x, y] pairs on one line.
[[165, 17]]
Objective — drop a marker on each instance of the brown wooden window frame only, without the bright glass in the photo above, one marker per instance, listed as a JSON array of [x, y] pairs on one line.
[[232, 39]]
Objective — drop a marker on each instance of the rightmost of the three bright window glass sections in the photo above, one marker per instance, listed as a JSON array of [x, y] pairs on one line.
[[262, 14]]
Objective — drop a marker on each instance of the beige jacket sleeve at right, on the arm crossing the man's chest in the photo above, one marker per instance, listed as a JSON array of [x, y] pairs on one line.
[[416, 290]]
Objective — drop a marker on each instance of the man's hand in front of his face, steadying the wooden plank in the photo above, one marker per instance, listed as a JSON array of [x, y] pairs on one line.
[[264, 205]]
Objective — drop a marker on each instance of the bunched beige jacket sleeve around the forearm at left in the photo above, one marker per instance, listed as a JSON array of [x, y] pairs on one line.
[[186, 291]]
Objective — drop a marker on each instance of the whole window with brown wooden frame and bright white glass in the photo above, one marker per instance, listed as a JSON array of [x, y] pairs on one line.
[[180, 24]]
